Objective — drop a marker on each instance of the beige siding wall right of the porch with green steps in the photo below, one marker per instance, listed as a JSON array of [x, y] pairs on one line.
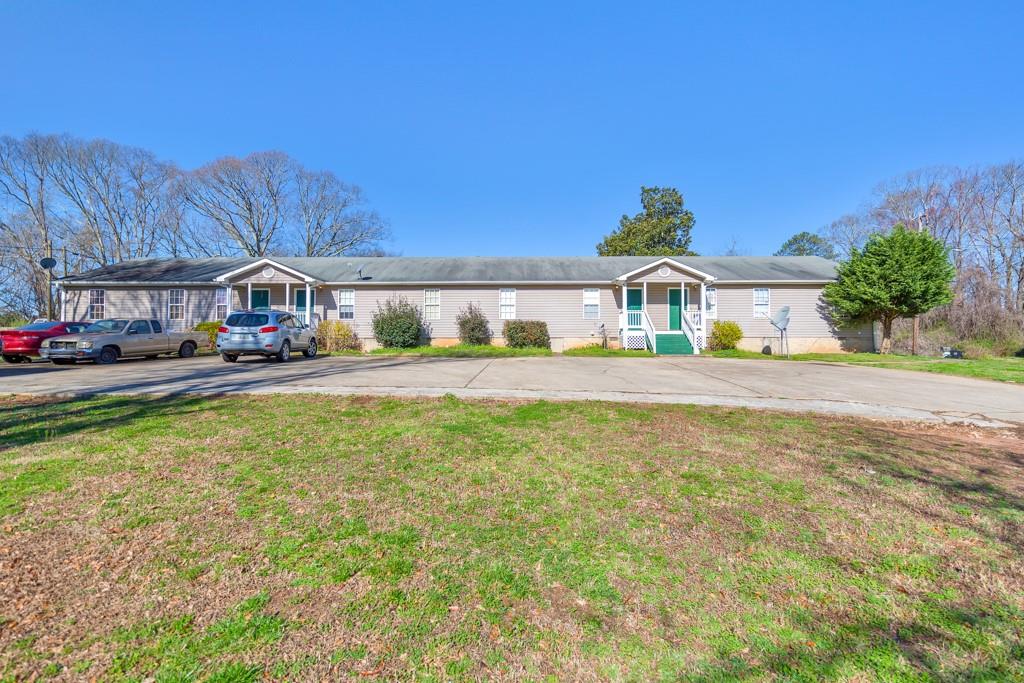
[[736, 303]]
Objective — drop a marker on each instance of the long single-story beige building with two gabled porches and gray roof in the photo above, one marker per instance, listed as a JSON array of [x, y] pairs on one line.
[[666, 305]]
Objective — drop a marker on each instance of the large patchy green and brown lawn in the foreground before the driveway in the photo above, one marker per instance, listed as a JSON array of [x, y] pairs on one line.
[[318, 538]]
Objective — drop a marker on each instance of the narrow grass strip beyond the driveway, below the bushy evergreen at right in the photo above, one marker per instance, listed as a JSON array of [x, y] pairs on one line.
[[1000, 369]]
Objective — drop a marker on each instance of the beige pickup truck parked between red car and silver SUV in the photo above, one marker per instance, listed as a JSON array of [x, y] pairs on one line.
[[106, 341]]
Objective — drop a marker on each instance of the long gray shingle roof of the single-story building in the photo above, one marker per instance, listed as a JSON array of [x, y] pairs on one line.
[[466, 269]]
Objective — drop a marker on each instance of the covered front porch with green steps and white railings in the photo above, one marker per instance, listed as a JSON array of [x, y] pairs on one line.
[[664, 309]]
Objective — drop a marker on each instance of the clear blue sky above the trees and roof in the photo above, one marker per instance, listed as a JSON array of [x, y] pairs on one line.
[[528, 129]]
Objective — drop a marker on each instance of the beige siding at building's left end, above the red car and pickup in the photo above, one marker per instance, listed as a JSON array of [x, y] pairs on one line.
[[151, 304]]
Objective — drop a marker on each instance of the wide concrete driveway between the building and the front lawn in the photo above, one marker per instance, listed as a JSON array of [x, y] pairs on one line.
[[793, 387]]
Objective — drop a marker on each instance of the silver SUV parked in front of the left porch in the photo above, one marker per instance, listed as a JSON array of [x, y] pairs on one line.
[[268, 333]]
